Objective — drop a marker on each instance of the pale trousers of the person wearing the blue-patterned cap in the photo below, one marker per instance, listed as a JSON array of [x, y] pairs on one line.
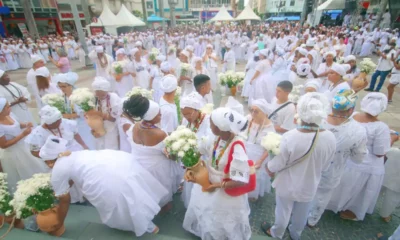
[[321, 200]]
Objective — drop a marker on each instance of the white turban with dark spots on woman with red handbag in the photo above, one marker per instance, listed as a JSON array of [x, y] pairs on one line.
[[227, 119]]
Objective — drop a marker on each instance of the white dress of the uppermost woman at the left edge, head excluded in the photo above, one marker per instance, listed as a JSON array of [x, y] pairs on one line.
[[13, 91]]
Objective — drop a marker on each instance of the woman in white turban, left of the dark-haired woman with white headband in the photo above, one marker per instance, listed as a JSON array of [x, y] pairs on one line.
[[108, 104]]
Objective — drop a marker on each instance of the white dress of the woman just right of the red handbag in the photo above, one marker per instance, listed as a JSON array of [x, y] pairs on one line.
[[254, 151]]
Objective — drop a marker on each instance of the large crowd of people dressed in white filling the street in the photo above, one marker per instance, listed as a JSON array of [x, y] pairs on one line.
[[301, 86]]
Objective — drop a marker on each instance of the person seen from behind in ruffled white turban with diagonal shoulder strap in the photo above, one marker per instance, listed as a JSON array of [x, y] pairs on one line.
[[304, 155]]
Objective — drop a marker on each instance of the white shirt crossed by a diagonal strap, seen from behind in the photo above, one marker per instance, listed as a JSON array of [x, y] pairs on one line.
[[300, 182]]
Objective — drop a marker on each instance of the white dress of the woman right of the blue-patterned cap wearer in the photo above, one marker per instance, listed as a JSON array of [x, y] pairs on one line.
[[360, 185]]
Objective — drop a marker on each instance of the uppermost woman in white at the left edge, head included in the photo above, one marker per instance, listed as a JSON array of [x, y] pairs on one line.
[[17, 96]]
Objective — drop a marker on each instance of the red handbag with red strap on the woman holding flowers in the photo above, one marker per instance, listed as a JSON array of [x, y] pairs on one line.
[[248, 187]]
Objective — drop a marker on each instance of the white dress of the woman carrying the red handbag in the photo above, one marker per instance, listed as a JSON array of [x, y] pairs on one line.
[[217, 215]]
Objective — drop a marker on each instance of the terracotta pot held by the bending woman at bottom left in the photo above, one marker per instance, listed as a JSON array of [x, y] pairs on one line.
[[48, 221]]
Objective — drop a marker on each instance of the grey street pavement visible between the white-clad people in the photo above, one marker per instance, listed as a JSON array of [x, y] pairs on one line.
[[83, 222]]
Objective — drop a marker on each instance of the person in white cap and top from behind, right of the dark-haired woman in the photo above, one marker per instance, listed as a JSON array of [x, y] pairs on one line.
[[169, 112]]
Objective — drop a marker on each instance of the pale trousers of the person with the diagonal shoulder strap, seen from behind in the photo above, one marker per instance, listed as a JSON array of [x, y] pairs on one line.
[[286, 210]]
